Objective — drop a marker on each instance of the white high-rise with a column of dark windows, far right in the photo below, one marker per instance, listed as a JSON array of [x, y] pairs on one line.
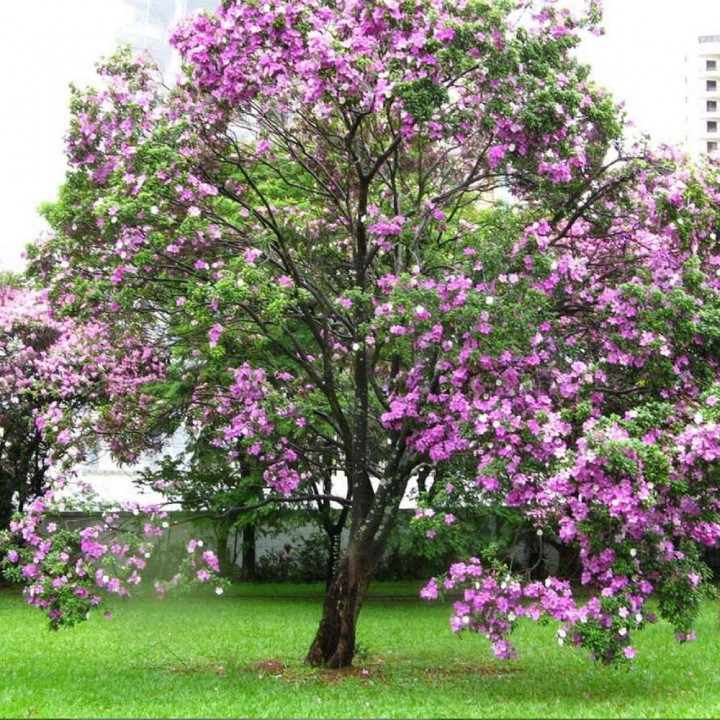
[[702, 100]]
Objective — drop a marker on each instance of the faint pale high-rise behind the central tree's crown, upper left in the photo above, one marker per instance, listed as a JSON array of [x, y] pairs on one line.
[[151, 24]]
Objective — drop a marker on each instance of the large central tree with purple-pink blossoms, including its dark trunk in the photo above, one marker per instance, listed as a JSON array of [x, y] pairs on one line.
[[298, 219]]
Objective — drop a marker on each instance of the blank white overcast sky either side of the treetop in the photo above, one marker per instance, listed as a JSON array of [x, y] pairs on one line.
[[46, 44]]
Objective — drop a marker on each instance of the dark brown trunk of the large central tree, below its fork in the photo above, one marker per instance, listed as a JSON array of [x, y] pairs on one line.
[[334, 643]]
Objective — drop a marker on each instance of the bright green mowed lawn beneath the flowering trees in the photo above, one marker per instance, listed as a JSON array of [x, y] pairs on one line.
[[240, 655]]
